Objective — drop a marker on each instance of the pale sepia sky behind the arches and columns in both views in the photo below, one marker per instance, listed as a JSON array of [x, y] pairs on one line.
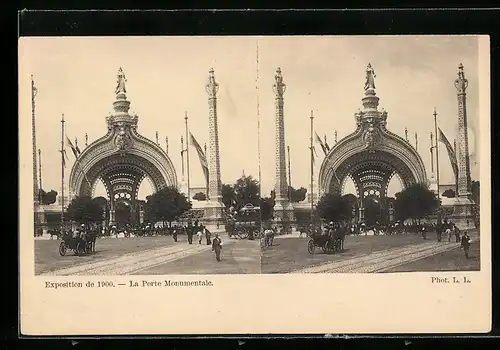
[[166, 76]]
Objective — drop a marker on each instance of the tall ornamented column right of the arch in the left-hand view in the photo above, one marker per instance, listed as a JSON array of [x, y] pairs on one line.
[[214, 208]]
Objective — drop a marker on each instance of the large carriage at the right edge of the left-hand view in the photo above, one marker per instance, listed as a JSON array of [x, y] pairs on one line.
[[244, 223]]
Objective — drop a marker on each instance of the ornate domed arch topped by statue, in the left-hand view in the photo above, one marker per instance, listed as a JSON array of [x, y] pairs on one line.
[[122, 158]]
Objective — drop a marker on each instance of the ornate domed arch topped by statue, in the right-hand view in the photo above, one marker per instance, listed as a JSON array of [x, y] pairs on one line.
[[371, 154]]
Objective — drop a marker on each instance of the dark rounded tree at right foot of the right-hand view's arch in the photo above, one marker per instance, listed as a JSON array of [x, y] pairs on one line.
[[415, 202]]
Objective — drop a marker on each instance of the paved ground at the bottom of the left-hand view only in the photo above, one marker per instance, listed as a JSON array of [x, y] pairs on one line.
[[149, 256]]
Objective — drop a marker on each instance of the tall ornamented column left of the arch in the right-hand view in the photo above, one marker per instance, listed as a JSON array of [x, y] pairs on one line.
[[283, 210]]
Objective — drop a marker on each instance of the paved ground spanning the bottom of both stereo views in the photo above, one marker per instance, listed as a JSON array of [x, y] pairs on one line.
[[160, 255]]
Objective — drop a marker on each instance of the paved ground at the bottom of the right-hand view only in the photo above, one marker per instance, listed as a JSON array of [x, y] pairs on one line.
[[363, 254]]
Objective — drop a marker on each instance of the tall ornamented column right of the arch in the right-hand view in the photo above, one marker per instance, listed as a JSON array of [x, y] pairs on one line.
[[462, 212]]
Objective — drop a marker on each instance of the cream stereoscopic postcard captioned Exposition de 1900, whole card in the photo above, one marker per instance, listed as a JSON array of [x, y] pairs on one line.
[[254, 185]]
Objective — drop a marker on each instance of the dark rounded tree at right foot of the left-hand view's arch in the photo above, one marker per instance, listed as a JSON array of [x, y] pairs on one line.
[[166, 205]]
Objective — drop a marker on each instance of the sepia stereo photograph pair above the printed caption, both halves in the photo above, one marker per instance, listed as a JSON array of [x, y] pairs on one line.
[[381, 175]]
